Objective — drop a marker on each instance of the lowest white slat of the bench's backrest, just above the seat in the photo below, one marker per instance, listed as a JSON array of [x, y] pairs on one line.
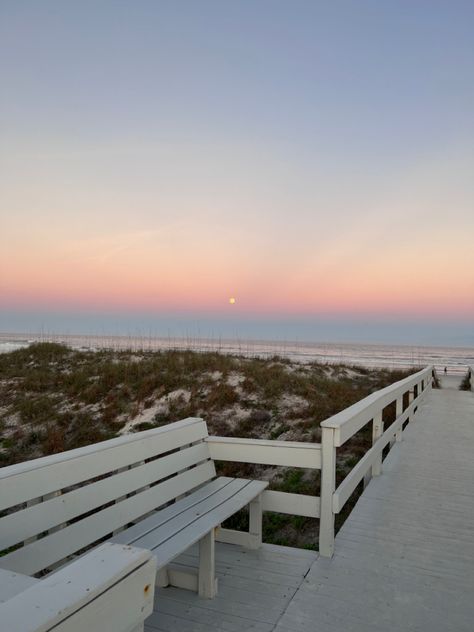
[[53, 548]]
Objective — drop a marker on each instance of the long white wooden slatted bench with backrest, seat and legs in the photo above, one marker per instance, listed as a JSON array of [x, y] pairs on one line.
[[155, 490]]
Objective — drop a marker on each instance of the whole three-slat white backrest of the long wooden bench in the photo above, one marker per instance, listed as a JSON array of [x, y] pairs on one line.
[[54, 507]]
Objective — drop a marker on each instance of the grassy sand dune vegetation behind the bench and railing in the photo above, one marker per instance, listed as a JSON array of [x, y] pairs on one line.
[[54, 398]]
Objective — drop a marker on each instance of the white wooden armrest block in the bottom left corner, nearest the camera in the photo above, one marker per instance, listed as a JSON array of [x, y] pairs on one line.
[[109, 589]]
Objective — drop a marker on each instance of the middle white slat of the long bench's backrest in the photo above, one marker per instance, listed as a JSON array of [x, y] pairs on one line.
[[19, 526]]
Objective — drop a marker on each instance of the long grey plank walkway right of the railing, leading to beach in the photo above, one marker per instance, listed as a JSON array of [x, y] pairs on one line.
[[404, 558]]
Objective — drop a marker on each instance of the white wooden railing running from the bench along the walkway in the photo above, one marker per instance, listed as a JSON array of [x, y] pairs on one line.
[[336, 430]]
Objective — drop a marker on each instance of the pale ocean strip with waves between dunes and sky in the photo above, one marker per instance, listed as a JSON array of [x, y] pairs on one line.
[[456, 359]]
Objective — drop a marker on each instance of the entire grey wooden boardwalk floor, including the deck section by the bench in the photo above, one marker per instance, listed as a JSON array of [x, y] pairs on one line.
[[404, 560]]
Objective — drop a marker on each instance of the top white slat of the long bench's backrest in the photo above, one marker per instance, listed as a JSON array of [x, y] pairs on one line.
[[39, 477]]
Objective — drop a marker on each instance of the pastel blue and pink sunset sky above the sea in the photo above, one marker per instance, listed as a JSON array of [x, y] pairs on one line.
[[312, 159]]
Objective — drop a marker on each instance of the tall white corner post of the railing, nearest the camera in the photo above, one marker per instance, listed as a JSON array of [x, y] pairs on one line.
[[328, 487]]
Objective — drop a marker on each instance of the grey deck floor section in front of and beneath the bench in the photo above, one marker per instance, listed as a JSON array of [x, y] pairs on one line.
[[254, 589]]
